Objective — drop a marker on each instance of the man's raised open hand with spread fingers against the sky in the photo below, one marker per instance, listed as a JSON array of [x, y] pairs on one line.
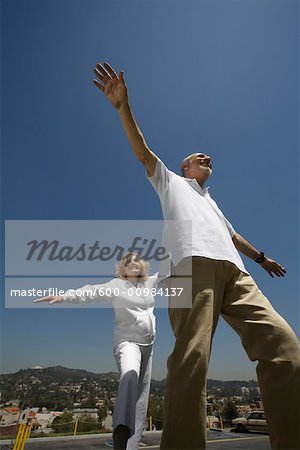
[[111, 84]]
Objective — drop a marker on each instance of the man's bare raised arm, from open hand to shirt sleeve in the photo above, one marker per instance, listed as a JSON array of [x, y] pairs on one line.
[[115, 89]]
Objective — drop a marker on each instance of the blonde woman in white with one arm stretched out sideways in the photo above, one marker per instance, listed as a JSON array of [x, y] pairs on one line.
[[131, 293]]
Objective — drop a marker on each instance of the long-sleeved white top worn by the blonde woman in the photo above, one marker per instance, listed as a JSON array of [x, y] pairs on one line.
[[133, 307]]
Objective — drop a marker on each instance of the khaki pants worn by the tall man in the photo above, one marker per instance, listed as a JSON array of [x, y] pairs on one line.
[[220, 288]]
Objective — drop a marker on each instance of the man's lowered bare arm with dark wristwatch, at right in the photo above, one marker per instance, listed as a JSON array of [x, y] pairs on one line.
[[271, 266]]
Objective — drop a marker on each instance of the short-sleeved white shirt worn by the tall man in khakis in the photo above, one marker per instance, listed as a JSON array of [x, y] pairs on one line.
[[194, 224]]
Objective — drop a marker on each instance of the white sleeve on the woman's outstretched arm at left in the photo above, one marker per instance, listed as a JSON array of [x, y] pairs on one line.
[[90, 293]]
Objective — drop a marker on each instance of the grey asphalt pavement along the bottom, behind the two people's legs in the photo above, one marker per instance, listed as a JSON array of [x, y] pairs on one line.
[[150, 440]]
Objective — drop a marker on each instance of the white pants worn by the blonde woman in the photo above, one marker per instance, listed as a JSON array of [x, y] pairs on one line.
[[134, 363]]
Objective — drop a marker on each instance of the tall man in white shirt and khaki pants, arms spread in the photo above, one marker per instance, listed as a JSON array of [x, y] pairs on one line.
[[220, 285]]
